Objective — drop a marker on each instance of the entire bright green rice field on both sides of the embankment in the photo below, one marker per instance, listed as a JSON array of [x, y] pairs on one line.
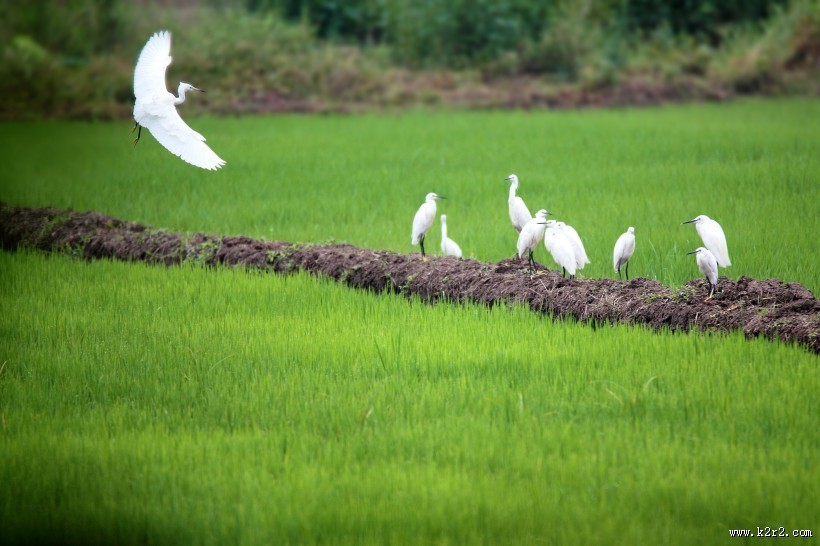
[[188, 406]]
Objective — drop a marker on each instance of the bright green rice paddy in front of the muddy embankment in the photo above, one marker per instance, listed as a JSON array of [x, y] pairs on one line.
[[177, 405]]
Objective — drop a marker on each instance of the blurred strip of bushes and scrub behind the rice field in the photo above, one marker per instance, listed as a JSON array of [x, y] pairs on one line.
[[76, 58]]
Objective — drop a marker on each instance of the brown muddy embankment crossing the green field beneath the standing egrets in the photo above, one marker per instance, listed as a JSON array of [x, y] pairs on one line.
[[770, 308]]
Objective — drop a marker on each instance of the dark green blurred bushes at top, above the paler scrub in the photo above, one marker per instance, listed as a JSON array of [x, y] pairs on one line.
[[468, 32]]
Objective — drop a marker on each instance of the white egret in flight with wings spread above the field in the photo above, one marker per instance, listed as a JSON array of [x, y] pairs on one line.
[[155, 108]]
